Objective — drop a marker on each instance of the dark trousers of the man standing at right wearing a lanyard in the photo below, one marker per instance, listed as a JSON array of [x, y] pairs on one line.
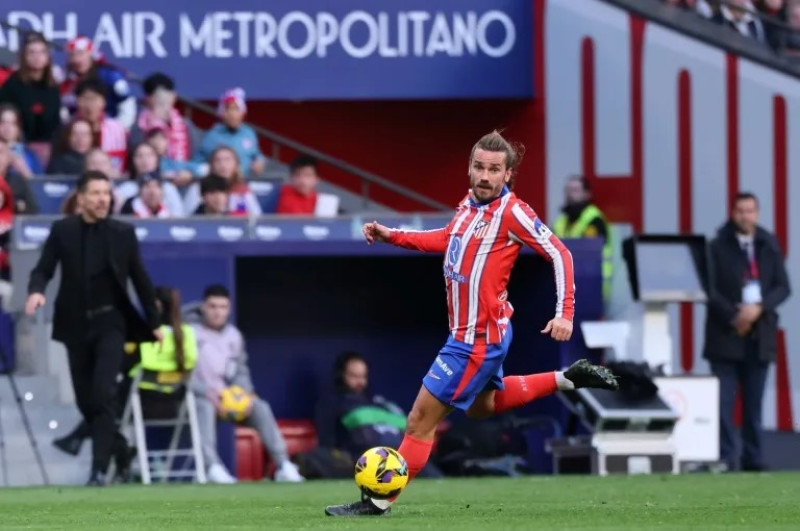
[[749, 376]]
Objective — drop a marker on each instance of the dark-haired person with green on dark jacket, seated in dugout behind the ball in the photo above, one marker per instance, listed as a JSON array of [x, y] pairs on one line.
[[354, 419]]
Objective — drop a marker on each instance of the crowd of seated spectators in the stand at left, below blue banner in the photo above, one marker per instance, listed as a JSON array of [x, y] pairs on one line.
[[58, 122]]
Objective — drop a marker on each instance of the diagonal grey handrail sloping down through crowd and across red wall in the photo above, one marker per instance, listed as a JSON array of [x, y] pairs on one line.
[[367, 178]]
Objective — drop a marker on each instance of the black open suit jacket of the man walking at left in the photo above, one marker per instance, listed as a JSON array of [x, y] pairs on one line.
[[63, 246]]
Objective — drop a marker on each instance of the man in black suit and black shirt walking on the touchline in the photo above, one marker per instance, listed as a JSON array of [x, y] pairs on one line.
[[93, 314]]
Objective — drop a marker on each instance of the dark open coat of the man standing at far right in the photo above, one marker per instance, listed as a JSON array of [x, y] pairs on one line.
[[728, 266]]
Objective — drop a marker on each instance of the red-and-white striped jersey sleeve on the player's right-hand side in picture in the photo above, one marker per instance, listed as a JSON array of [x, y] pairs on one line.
[[526, 227]]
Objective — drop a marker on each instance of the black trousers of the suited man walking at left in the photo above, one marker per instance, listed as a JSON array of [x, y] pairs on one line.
[[94, 365]]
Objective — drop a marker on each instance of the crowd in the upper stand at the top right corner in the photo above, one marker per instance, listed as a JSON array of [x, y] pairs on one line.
[[774, 23]]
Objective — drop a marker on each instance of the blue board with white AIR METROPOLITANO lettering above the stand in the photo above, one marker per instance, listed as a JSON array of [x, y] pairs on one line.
[[311, 50]]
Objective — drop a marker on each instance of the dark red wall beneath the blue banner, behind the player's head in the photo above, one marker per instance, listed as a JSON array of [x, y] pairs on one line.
[[421, 145]]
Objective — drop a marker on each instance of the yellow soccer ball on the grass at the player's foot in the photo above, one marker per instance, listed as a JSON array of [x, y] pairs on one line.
[[381, 473]]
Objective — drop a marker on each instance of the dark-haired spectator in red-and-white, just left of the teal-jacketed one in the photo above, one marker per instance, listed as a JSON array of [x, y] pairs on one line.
[[160, 113]]
